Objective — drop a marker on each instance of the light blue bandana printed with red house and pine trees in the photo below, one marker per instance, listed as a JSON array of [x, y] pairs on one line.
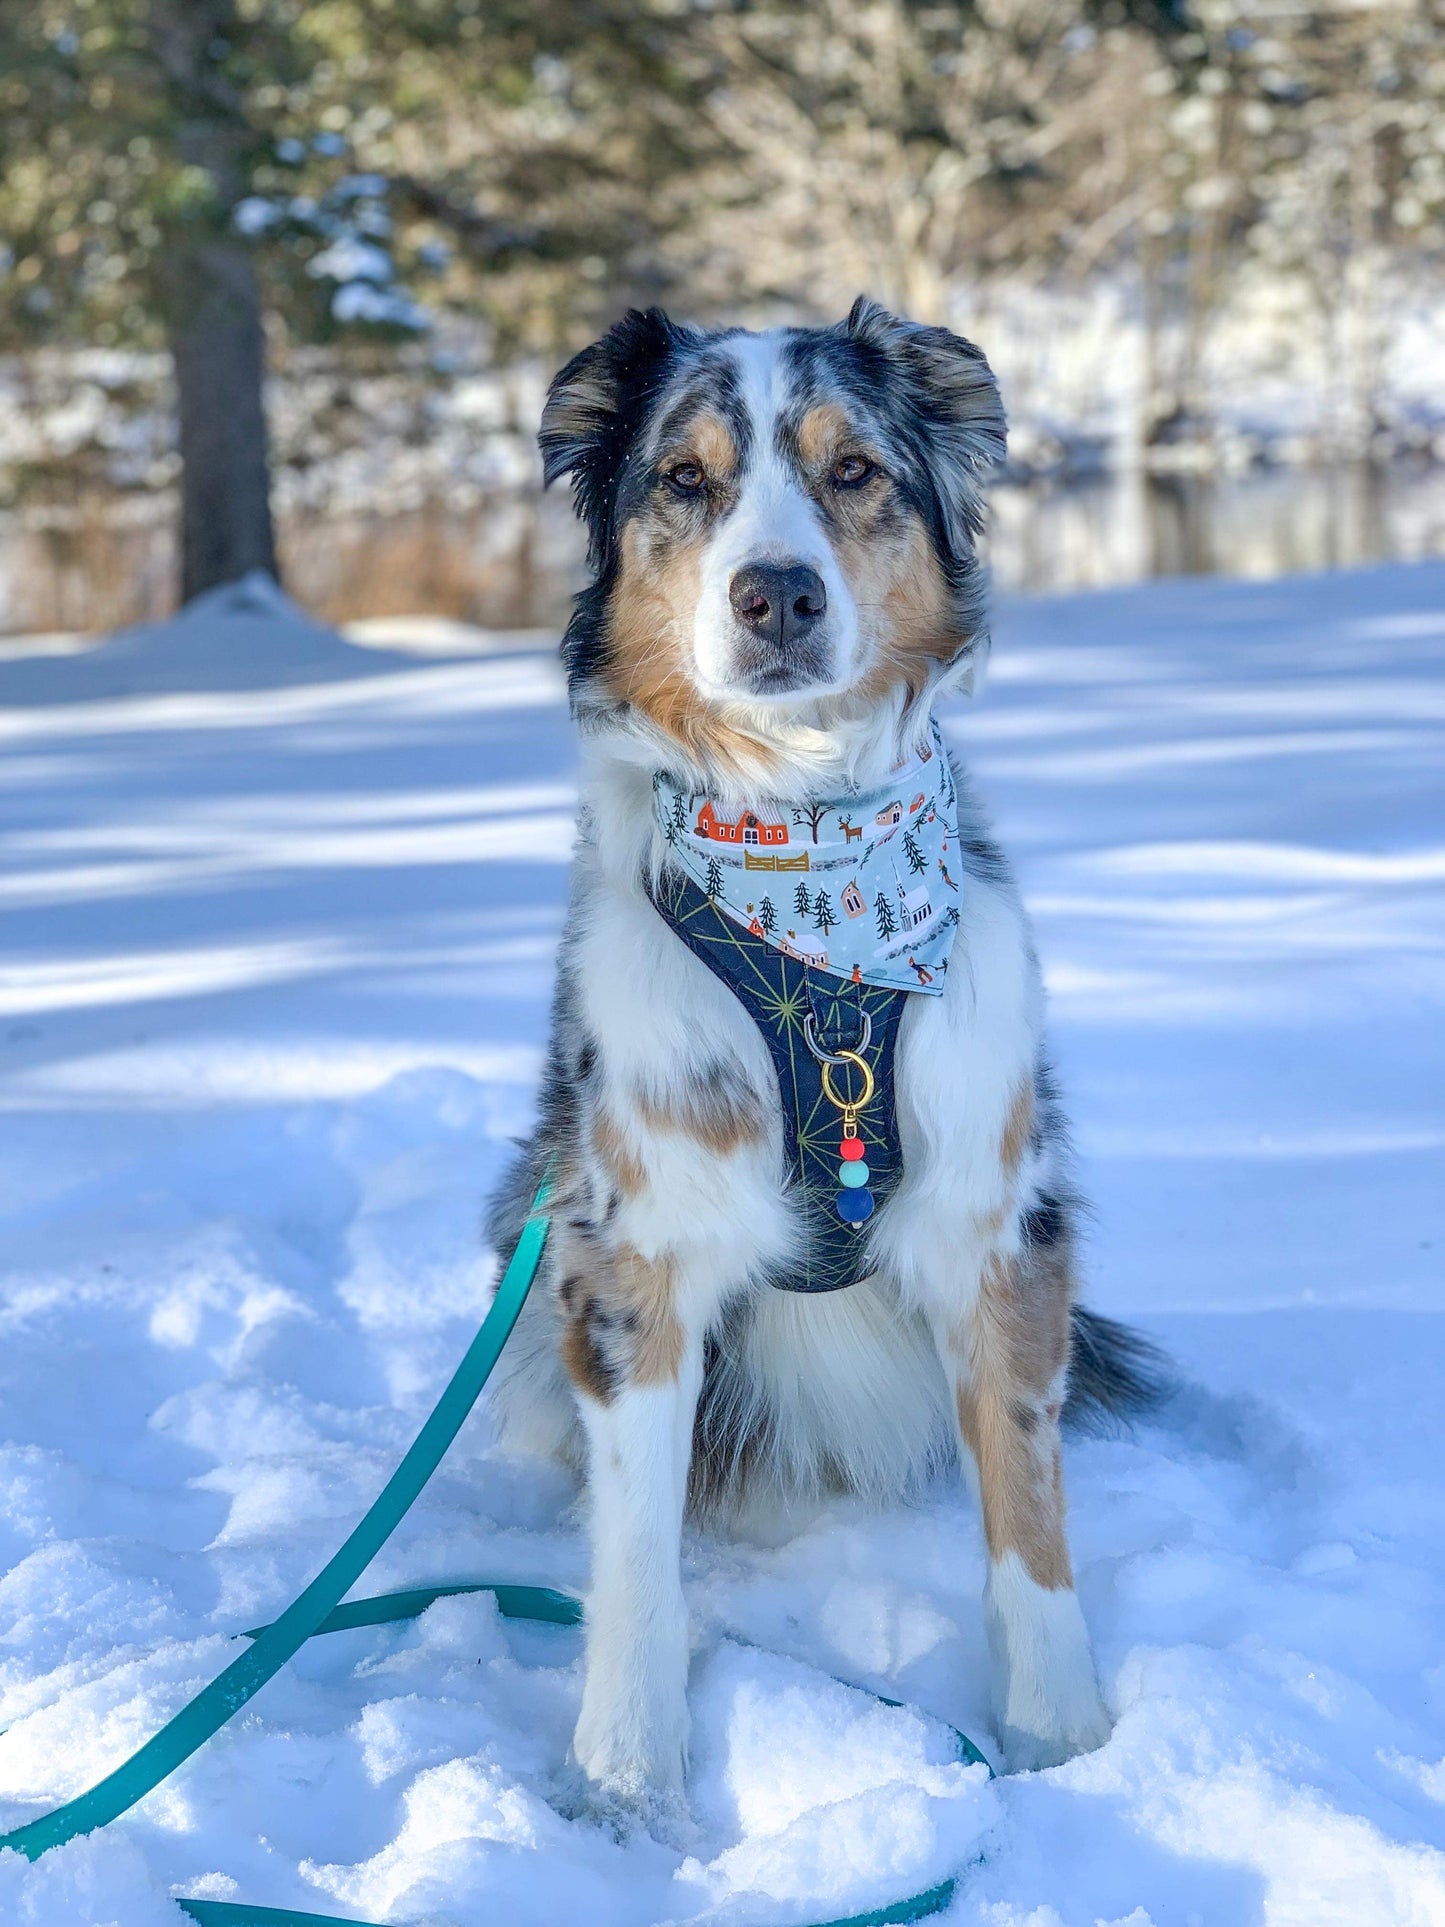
[[864, 887]]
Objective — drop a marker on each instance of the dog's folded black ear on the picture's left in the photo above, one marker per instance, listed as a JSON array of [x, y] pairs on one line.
[[594, 411]]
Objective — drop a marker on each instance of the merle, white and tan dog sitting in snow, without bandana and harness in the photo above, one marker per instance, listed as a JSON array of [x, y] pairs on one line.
[[785, 583]]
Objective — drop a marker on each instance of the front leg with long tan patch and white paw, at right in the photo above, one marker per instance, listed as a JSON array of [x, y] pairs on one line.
[[1009, 1361]]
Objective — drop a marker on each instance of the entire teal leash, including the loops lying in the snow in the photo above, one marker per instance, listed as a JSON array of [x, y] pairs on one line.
[[319, 1610]]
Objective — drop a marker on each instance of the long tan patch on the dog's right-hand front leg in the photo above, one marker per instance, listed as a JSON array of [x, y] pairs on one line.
[[1016, 1344]]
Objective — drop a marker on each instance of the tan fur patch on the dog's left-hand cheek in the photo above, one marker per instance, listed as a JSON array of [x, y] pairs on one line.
[[650, 621]]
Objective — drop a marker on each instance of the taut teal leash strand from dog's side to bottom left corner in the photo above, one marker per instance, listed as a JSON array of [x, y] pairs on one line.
[[275, 1645]]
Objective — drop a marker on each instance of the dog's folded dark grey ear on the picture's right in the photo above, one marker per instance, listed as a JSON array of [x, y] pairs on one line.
[[957, 408]]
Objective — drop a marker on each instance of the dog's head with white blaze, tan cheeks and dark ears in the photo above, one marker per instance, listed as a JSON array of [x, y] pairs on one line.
[[781, 525]]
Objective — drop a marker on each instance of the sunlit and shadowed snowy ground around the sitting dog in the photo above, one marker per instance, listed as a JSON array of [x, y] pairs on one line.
[[273, 988]]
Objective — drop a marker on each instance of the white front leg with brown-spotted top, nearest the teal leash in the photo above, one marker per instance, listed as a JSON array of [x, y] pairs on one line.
[[637, 1371]]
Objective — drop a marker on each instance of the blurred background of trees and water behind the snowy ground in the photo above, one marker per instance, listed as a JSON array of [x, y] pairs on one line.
[[282, 284]]
